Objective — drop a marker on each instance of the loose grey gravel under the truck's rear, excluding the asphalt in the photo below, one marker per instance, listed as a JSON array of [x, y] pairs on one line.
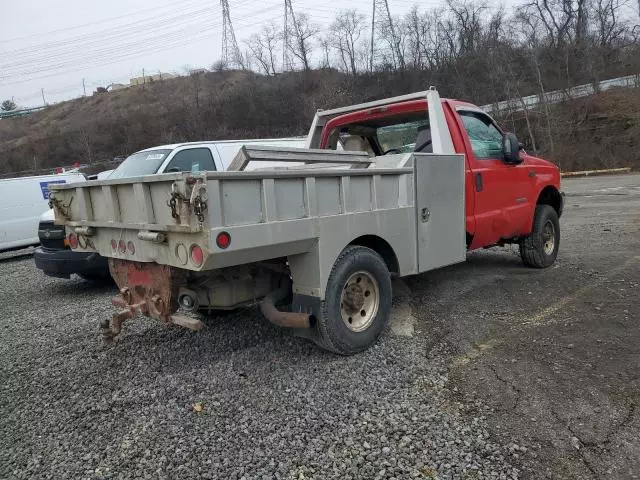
[[273, 405]]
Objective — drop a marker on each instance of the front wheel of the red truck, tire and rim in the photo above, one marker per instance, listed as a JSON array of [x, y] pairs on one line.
[[540, 248]]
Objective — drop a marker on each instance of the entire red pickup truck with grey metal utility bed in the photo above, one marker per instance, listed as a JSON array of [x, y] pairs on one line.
[[325, 239]]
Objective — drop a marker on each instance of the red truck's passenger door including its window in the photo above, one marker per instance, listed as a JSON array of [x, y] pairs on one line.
[[503, 193]]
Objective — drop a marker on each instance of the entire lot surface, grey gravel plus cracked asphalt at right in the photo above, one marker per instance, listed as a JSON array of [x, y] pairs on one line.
[[449, 392]]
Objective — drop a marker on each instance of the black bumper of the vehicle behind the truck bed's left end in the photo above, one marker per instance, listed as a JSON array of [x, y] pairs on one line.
[[62, 263]]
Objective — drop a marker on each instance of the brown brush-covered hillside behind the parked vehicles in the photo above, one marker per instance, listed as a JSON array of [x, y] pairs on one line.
[[596, 132]]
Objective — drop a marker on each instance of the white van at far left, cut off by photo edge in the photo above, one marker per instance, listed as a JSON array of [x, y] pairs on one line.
[[22, 201]]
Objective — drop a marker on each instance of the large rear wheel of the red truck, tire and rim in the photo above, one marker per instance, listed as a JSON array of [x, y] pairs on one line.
[[357, 302]]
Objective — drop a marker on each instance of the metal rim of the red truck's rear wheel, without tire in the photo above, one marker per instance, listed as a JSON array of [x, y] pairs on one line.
[[359, 301]]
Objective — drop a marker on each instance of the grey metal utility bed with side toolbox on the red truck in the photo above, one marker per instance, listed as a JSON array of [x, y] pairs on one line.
[[413, 202]]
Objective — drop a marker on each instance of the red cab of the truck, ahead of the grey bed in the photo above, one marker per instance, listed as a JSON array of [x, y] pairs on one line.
[[503, 183]]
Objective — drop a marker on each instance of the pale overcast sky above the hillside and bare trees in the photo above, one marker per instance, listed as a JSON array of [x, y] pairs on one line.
[[54, 45]]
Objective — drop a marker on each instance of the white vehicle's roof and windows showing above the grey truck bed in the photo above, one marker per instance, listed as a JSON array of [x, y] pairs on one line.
[[194, 156]]
